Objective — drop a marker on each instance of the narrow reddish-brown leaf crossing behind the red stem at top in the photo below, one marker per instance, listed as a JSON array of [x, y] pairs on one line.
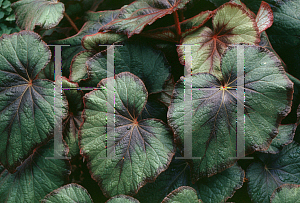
[[187, 26]]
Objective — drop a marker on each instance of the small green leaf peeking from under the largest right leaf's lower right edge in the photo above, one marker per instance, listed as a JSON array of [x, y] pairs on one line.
[[284, 137]]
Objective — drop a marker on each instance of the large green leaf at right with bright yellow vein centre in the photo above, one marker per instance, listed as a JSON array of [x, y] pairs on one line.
[[214, 109]]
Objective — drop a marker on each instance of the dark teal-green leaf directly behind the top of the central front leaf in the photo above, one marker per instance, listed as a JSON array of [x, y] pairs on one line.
[[136, 57]]
